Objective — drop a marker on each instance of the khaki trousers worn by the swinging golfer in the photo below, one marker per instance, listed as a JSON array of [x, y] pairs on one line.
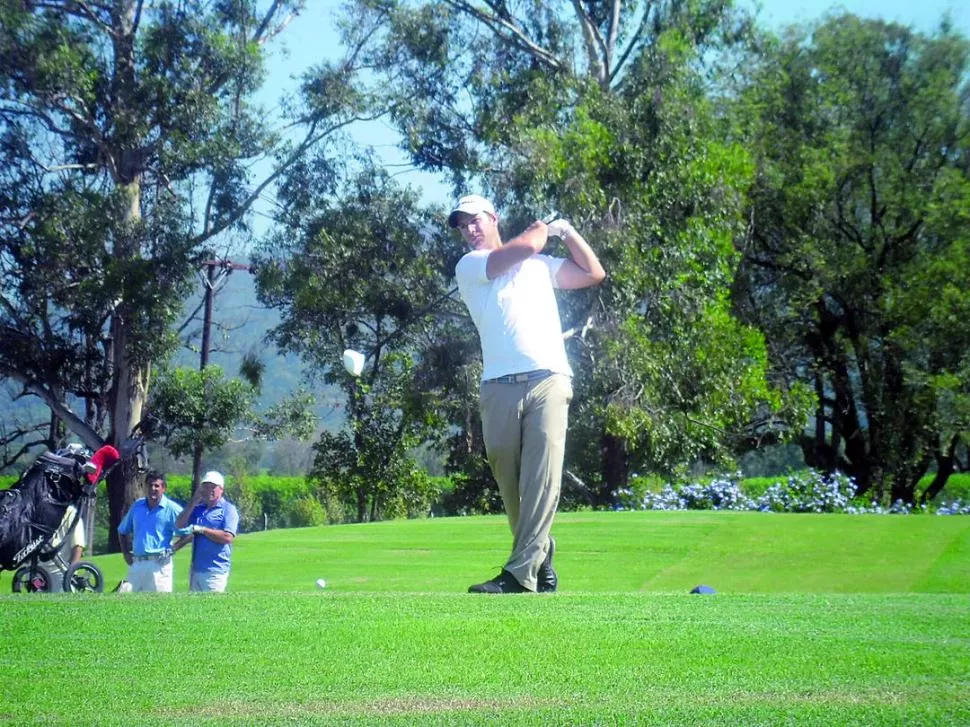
[[524, 425]]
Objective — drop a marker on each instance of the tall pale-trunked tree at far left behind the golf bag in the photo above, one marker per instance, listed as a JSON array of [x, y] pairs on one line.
[[129, 139]]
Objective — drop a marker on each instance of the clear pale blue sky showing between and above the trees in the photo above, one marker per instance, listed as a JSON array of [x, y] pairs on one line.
[[310, 39]]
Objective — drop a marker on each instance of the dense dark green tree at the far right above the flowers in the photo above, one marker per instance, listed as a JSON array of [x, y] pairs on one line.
[[856, 268]]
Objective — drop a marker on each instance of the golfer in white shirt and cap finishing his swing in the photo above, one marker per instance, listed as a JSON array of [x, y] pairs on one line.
[[526, 382]]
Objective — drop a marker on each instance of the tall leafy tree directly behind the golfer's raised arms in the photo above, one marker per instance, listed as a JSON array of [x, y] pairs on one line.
[[605, 112]]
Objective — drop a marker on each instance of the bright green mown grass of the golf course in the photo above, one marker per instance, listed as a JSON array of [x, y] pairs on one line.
[[819, 619]]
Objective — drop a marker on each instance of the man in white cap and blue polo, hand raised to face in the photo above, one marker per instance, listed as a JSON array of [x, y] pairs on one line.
[[214, 522]]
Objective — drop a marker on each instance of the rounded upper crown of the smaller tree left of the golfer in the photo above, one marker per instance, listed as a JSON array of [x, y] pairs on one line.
[[351, 272]]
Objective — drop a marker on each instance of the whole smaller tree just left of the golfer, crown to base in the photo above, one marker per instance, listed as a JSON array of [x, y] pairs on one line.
[[363, 274]]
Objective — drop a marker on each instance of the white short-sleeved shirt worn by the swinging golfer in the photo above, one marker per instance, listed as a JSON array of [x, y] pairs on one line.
[[516, 314]]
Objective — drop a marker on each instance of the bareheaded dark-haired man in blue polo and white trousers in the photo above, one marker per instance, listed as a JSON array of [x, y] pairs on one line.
[[146, 537]]
